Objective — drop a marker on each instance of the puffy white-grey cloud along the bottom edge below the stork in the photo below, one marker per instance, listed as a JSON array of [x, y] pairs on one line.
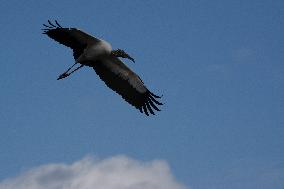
[[118, 172]]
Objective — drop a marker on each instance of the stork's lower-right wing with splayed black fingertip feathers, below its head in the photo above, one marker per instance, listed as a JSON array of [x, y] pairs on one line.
[[126, 83]]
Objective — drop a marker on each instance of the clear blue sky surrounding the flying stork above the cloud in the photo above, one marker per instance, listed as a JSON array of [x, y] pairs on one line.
[[218, 64]]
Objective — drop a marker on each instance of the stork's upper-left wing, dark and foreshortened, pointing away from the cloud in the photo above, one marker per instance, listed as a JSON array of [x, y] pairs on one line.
[[70, 37]]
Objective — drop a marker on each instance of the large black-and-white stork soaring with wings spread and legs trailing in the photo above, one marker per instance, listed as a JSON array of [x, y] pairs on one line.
[[98, 54]]
